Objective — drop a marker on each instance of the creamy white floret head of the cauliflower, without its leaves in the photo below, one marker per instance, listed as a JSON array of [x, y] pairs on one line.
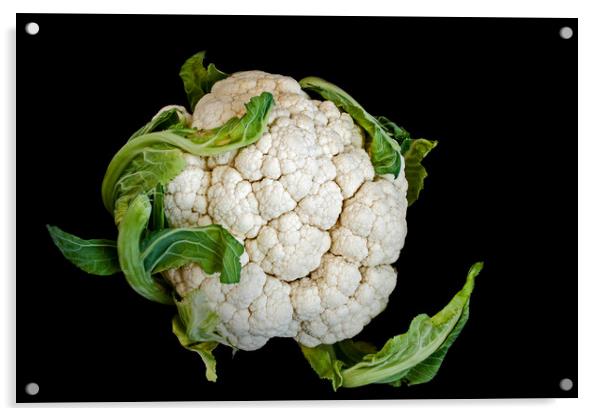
[[320, 230]]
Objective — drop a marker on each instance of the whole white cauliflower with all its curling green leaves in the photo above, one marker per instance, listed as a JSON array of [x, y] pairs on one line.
[[266, 213]]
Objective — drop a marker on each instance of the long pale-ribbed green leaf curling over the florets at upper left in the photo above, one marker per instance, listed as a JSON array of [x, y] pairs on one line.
[[159, 153]]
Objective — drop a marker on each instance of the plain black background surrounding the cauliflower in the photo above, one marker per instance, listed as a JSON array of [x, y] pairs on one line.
[[500, 95]]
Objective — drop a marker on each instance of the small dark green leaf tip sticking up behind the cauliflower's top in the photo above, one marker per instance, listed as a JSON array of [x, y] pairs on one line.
[[197, 79]]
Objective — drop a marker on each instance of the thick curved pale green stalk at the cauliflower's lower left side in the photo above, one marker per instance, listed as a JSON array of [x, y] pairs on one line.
[[131, 228]]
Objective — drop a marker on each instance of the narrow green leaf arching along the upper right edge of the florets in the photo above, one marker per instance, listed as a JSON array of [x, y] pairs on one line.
[[384, 150]]
